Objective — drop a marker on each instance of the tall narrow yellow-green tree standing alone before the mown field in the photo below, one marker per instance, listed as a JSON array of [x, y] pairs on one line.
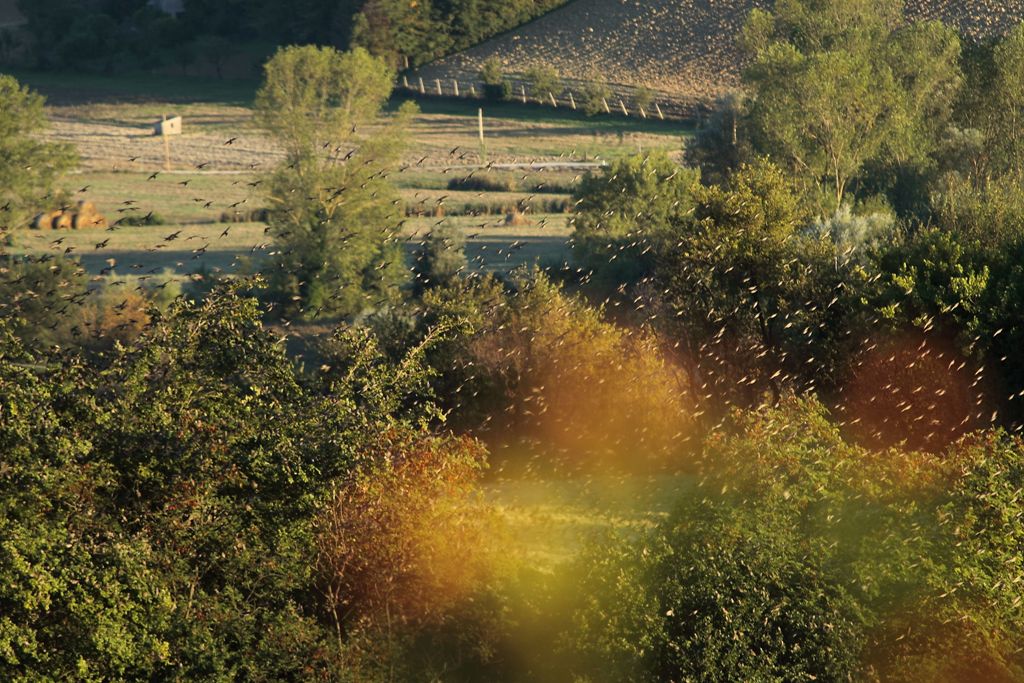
[[334, 212]]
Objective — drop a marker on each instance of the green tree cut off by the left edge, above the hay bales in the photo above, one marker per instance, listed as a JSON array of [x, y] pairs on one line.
[[29, 167]]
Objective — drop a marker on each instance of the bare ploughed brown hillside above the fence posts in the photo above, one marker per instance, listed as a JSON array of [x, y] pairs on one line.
[[685, 49]]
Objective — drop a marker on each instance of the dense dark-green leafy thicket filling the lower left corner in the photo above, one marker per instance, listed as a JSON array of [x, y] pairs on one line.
[[161, 513]]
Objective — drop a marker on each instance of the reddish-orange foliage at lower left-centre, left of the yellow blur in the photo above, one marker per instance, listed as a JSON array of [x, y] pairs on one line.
[[406, 541]]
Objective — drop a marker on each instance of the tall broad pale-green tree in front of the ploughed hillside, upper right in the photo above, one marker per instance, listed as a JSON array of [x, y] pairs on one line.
[[838, 84]]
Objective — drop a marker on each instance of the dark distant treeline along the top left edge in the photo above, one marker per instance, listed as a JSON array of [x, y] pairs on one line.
[[118, 35]]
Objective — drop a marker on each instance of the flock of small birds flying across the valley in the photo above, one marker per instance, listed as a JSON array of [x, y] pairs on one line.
[[927, 404]]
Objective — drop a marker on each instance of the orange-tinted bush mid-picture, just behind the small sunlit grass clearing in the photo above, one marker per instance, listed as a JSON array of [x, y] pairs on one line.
[[541, 367]]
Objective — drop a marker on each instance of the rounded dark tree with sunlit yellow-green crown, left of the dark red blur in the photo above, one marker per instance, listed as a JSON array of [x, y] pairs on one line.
[[751, 294]]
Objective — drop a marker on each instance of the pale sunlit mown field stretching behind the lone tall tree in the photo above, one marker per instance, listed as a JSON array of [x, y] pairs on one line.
[[207, 189]]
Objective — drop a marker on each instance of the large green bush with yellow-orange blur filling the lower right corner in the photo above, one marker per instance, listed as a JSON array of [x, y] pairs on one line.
[[801, 557]]
